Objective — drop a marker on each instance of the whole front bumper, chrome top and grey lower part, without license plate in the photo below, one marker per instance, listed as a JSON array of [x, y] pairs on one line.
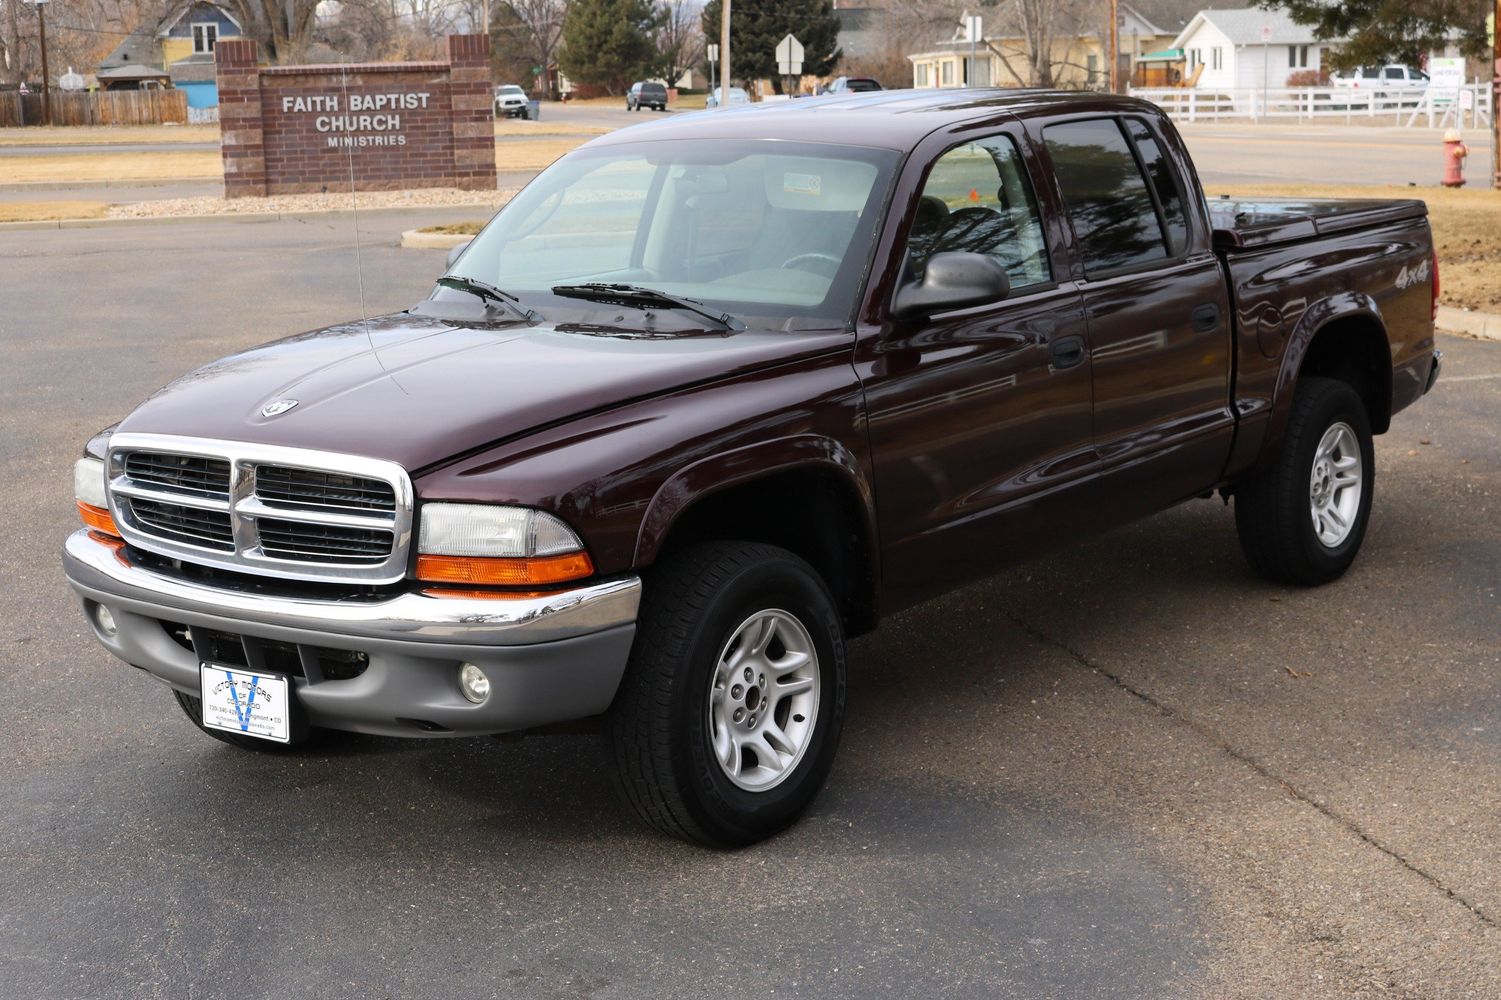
[[550, 658]]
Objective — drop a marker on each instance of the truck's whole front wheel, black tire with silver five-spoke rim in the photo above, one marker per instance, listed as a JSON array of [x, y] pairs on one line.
[[729, 715]]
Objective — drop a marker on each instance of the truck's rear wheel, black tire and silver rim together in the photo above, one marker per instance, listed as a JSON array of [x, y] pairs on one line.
[[1302, 520]]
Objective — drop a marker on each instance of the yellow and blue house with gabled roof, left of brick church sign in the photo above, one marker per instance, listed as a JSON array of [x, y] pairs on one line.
[[178, 44]]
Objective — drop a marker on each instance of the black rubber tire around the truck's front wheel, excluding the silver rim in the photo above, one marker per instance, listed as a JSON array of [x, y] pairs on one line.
[[658, 730]]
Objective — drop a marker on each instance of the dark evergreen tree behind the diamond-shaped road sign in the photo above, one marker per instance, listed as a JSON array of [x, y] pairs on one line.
[[757, 26]]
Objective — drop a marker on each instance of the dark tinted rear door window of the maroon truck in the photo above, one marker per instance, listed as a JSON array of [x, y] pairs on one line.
[[1117, 220]]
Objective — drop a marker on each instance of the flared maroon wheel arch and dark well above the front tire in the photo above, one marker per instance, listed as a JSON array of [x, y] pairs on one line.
[[747, 493]]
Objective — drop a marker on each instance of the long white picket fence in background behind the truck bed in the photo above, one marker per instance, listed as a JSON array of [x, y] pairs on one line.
[[1470, 107]]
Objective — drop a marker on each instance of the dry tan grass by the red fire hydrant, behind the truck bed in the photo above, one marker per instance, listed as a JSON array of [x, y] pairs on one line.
[[1467, 232]]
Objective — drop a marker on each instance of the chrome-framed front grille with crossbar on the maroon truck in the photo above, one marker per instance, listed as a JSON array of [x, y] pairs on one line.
[[263, 510]]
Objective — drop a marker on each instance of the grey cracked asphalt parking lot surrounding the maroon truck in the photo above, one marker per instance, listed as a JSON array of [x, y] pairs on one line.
[[1127, 771]]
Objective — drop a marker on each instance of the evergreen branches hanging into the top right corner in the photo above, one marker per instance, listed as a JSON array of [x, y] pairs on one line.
[[1383, 32]]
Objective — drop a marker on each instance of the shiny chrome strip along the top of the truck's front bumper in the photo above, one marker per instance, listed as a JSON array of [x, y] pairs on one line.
[[107, 574]]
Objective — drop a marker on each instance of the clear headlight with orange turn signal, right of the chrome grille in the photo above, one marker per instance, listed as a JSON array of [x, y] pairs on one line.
[[481, 544]]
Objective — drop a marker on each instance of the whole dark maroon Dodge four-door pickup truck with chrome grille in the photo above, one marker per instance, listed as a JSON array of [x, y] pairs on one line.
[[711, 397]]
